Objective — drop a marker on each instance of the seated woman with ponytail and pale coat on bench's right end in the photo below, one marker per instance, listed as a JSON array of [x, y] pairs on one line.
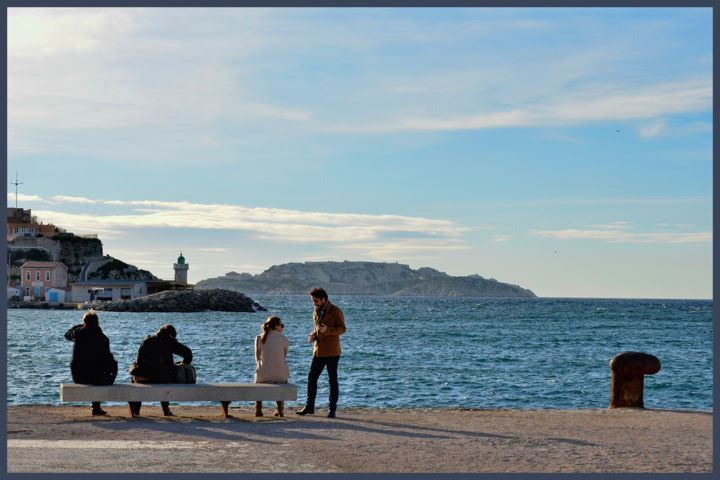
[[271, 356]]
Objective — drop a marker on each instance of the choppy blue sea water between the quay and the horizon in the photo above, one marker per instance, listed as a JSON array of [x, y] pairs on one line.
[[539, 353]]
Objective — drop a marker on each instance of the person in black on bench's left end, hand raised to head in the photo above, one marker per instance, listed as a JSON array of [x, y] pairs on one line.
[[92, 362]]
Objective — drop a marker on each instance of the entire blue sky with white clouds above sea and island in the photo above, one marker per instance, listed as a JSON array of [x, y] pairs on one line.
[[565, 150]]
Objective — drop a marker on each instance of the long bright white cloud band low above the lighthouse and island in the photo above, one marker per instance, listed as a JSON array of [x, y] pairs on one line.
[[264, 223]]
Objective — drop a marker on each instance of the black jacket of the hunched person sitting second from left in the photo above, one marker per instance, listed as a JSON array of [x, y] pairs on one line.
[[154, 360]]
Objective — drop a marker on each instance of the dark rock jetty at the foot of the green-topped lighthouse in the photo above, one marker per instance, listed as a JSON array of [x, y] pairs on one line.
[[186, 301]]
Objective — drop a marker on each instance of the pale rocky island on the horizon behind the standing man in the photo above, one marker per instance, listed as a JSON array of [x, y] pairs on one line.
[[362, 278]]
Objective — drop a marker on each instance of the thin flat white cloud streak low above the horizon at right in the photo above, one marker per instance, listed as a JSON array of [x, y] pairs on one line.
[[615, 236]]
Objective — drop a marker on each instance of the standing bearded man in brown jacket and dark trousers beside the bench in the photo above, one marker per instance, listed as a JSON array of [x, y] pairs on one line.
[[329, 325]]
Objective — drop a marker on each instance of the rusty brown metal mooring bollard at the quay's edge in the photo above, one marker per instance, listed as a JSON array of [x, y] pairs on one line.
[[627, 378]]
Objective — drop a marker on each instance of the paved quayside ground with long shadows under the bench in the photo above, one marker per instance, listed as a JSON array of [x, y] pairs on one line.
[[363, 440]]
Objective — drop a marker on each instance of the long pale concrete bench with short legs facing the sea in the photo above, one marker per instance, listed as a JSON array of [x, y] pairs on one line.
[[178, 392]]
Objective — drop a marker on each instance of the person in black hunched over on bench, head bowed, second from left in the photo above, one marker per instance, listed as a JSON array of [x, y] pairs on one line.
[[154, 362]]
